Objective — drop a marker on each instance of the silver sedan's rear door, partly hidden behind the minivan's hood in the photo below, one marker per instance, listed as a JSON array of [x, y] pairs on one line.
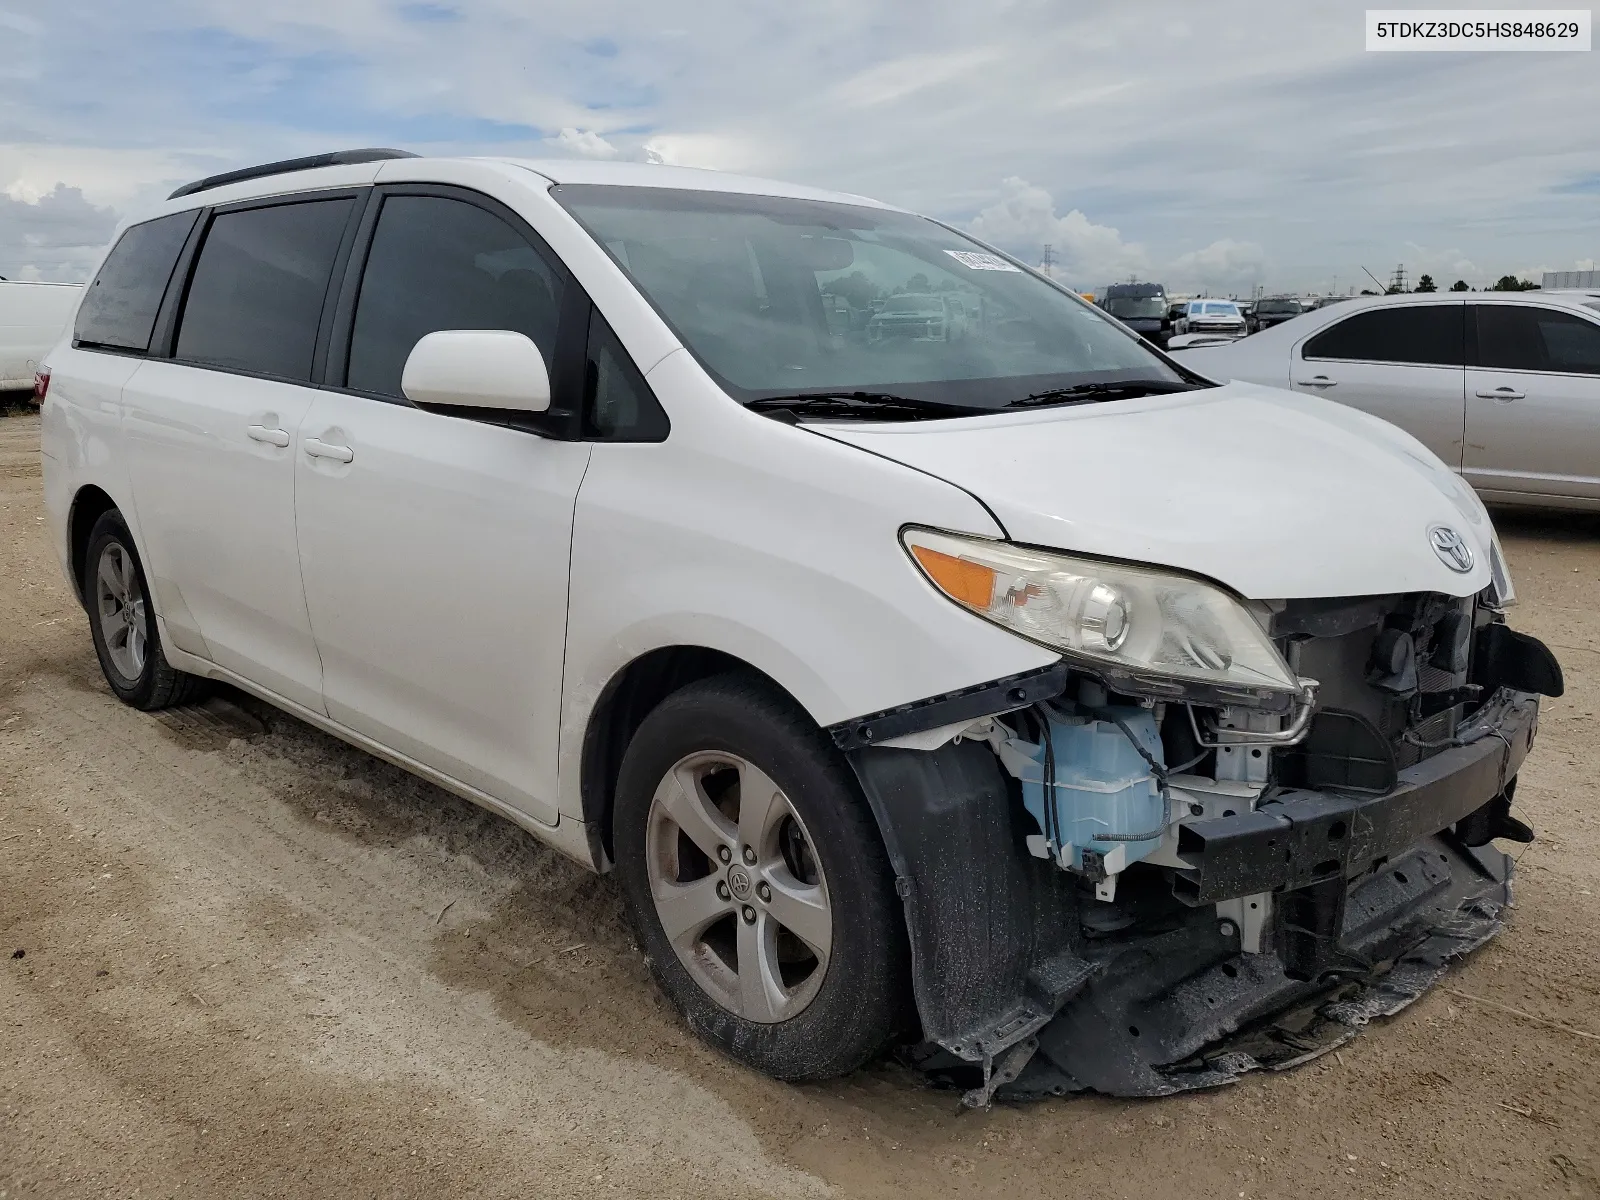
[[1404, 364]]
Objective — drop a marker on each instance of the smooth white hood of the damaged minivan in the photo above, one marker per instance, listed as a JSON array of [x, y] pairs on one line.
[[1274, 494]]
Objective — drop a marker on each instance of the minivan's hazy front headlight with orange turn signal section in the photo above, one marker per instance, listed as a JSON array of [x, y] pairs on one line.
[[1135, 620]]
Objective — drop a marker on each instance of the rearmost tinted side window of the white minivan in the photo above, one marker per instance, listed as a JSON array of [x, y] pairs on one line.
[[119, 311]]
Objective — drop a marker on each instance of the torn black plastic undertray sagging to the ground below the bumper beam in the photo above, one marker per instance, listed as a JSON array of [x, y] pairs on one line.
[[1183, 1009]]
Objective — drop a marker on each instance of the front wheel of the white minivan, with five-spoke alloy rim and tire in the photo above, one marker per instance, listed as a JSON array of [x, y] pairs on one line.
[[815, 1015]]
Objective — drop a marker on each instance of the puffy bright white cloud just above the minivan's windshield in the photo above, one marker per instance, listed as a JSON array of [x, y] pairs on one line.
[[1025, 222]]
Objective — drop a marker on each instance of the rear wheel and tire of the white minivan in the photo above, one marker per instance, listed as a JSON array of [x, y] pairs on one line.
[[122, 623]]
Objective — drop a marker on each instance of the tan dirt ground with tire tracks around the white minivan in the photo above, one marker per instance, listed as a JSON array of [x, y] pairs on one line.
[[242, 959]]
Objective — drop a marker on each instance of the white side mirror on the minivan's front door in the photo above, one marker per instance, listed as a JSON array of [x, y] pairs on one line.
[[478, 369]]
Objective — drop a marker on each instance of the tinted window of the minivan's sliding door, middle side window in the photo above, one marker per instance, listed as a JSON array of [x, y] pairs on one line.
[[257, 295]]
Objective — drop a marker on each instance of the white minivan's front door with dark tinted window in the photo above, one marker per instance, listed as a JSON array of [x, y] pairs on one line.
[[436, 548]]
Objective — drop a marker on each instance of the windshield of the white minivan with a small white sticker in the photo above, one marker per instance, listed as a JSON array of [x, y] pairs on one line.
[[778, 297]]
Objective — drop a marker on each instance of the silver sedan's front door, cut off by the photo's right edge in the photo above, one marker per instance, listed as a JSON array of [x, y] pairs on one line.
[[1534, 402]]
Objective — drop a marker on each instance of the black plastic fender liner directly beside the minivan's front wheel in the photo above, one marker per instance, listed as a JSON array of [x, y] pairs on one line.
[[993, 930]]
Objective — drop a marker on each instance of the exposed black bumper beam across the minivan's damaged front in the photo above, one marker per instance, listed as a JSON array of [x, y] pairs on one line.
[[1303, 838]]
